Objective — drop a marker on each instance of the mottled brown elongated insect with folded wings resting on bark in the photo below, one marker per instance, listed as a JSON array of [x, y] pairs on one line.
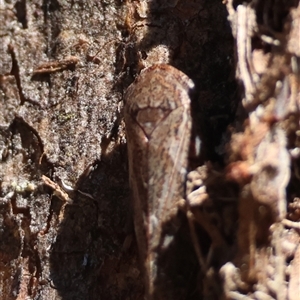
[[158, 127]]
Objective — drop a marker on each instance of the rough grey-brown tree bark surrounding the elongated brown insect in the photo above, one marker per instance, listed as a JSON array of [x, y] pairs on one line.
[[65, 210]]
